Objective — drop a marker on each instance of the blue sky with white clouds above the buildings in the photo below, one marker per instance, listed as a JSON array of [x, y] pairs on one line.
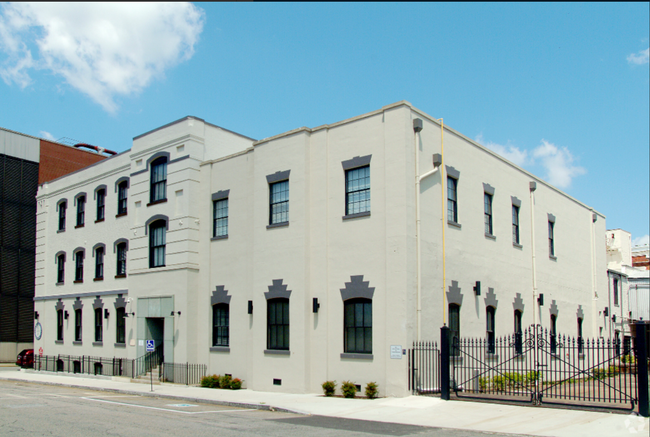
[[561, 89]]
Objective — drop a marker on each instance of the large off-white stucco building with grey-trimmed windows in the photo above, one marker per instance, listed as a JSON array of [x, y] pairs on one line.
[[294, 260]]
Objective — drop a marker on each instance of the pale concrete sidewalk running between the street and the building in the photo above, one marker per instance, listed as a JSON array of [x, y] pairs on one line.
[[412, 410]]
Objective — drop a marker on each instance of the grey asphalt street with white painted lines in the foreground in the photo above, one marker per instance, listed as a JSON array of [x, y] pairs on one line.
[[35, 409]]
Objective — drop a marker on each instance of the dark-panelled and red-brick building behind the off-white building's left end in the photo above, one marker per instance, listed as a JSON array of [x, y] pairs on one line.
[[25, 162]]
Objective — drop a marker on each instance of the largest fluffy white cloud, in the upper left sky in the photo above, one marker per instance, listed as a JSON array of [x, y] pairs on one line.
[[101, 49]]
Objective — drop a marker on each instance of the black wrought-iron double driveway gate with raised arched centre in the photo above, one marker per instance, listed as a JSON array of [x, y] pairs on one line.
[[536, 366]]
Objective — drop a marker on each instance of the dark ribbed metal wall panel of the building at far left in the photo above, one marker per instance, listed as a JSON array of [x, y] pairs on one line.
[[18, 185]]
